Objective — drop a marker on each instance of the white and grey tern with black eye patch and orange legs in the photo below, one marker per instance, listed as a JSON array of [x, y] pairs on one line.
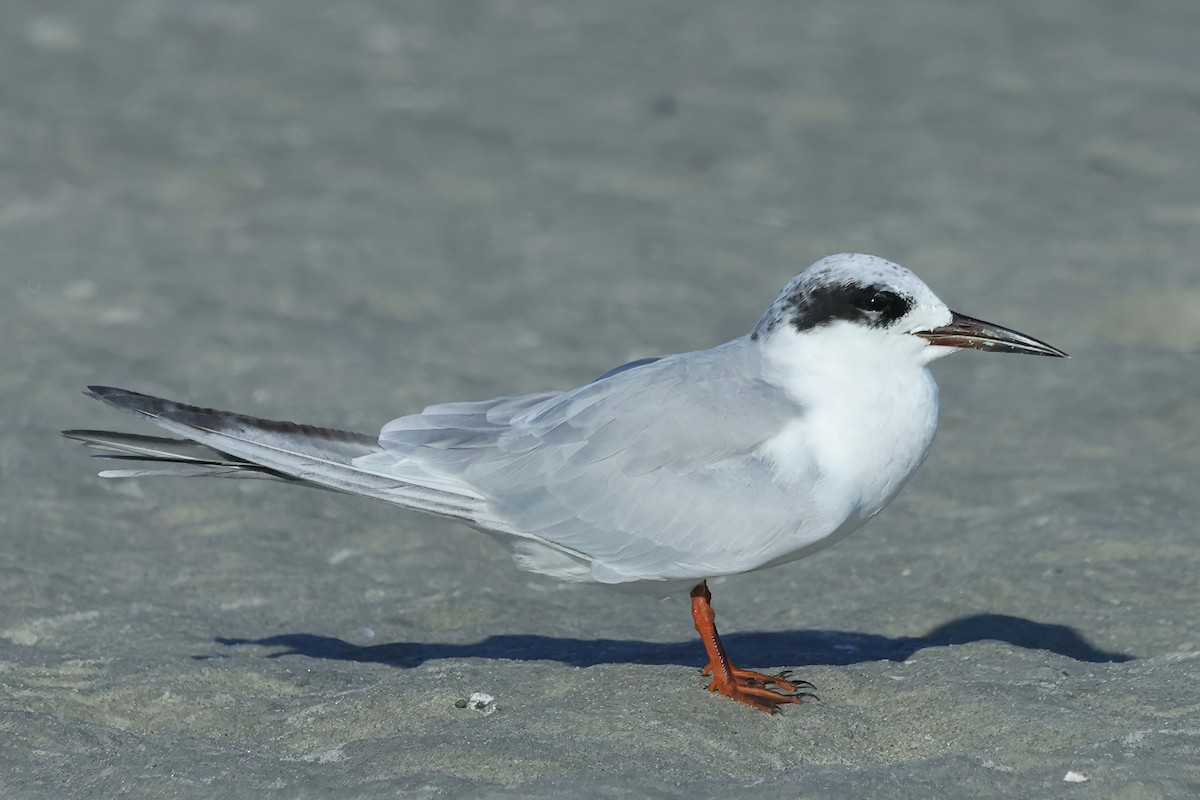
[[661, 474]]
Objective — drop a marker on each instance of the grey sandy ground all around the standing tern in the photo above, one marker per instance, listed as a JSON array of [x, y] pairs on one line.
[[340, 213]]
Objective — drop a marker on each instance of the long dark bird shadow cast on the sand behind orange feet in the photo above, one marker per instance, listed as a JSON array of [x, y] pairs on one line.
[[789, 648]]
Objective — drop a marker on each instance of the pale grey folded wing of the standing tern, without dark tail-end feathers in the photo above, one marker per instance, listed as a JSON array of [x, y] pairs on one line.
[[650, 473]]
